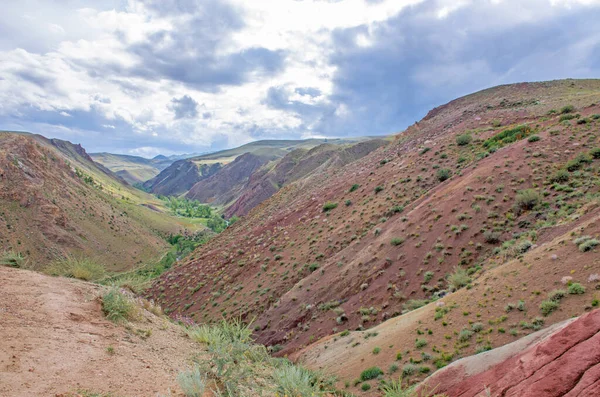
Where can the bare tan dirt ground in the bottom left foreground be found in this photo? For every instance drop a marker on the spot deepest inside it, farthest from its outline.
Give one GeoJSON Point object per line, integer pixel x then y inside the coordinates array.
{"type": "Point", "coordinates": [54, 340]}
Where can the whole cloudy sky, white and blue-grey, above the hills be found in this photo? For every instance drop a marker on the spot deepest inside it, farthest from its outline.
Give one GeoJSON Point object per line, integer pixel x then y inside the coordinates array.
{"type": "Point", "coordinates": [179, 76]}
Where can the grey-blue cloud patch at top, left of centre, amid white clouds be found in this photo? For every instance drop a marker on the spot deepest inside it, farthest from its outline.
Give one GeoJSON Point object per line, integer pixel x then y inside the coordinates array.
{"type": "Point", "coordinates": [189, 54]}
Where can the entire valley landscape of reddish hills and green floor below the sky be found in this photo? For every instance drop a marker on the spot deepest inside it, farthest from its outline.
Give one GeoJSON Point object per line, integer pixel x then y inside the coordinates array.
{"type": "Point", "coordinates": [473, 233]}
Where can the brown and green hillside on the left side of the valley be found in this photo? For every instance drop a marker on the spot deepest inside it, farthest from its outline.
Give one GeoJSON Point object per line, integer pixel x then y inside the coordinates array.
{"type": "Point", "coordinates": [55, 201]}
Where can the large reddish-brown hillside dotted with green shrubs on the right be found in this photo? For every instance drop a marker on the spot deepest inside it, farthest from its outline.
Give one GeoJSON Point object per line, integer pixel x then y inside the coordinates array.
{"type": "Point", "coordinates": [477, 225]}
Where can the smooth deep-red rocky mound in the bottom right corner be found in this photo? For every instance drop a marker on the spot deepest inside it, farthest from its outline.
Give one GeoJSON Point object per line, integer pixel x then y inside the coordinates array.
{"type": "Point", "coordinates": [565, 363]}
